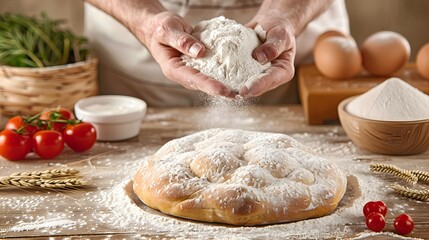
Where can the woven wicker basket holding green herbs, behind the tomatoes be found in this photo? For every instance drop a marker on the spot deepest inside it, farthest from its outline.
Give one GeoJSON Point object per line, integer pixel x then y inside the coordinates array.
{"type": "Point", "coordinates": [28, 91]}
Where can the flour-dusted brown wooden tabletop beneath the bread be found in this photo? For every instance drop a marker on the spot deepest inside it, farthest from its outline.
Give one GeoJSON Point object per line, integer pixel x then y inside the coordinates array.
{"type": "Point", "coordinates": [39, 214]}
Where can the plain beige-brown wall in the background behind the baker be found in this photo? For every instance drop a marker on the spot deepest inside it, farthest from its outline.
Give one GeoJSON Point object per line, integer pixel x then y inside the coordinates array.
{"type": "Point", "coordinates": [408, 17]}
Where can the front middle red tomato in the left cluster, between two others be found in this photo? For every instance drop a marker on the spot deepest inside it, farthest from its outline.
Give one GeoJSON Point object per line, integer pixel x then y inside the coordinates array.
{"type": "Point", "coordinates": [48, 143]}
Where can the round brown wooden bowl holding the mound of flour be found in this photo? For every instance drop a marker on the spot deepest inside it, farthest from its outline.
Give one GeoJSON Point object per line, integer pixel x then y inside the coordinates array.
{"type": "Point", "coordinates": [385, 137]}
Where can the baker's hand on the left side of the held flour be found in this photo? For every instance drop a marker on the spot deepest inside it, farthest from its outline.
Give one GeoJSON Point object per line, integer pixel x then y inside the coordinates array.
{"type": "Point", "coordinates": [167, 36]}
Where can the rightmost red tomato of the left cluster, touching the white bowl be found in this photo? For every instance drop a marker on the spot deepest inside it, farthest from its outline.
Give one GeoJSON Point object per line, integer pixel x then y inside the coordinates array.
{"type": "Point", "coordinates": [80, 137]}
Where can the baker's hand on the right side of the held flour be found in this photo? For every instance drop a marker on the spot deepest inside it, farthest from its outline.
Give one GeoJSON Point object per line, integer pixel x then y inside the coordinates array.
{"type": "Point", "coordinates": [279, 48]}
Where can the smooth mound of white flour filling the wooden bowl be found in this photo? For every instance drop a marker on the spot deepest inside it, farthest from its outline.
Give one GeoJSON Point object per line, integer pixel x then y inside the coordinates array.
{"type": "Point", "coordinates": [392, 100]}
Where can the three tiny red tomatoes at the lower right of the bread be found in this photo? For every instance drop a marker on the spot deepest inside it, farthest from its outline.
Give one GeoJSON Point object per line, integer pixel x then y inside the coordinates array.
{"type": "Point", "coordinates": [375, 213]}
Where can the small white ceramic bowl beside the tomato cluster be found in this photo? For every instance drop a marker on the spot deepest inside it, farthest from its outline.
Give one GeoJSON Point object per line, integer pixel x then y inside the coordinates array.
{"type": "Point", "coordinates": [114, 117]}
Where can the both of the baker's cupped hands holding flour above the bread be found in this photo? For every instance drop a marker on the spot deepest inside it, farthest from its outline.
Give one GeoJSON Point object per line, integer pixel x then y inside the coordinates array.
{"type": "Point", "coordinates": [167, 36]}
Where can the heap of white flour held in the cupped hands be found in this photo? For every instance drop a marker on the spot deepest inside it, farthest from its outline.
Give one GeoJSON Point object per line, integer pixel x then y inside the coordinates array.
{"type": "Point", "coordinates": [228, 58]}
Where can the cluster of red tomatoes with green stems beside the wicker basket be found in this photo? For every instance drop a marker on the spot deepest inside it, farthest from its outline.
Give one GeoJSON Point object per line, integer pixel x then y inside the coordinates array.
{"type": "Point", "coordinates": [46, 134]}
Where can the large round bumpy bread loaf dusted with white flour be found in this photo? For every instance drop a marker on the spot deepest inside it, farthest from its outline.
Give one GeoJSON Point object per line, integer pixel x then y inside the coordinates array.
{"type": "Point", "coordinates": [239, 177]}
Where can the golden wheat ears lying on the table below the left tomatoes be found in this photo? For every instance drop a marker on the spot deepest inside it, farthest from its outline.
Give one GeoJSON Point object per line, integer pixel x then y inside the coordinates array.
{"type": "Point", "coordinates": [49, 179]}
